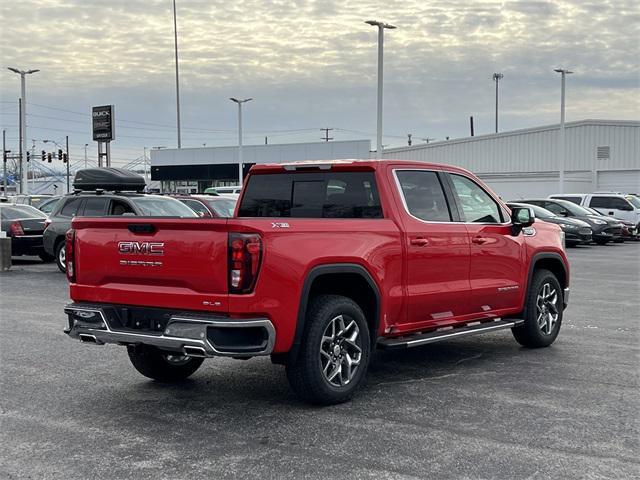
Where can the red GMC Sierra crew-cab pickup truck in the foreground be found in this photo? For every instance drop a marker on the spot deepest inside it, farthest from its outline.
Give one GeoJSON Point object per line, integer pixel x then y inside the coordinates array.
{"type": "Point", "coordinates": [322, 263]}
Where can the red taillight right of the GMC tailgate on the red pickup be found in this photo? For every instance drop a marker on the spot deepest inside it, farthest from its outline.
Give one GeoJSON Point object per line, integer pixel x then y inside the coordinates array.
{"type": "Point", "coordinates": [245, 255]}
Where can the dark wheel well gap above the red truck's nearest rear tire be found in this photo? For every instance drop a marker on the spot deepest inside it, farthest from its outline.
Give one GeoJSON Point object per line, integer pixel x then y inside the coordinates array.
{"type": "Point", "coordinates": [354, 286]}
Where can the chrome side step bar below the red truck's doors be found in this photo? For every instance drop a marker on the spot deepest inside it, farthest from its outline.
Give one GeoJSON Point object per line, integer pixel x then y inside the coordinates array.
{"type": "Point", "coordinates": [418, 339]}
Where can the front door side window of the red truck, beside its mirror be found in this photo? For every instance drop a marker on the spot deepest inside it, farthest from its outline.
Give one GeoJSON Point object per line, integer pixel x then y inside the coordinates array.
{"type": "Point", "coordinates": [474, 204]}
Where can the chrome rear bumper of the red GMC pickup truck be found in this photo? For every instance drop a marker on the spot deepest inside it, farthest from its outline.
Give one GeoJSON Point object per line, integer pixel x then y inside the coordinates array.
{"type": "Point", "coordinates": [191, 335]}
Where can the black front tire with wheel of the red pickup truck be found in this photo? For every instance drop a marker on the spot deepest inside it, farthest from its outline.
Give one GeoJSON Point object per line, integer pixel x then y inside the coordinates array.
{"type": "Point", "coordinates": [531, 334]}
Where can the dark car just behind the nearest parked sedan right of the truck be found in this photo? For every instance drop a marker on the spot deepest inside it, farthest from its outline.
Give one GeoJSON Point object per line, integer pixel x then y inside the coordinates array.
{"type": "Point", "coordinates": [604, 229]}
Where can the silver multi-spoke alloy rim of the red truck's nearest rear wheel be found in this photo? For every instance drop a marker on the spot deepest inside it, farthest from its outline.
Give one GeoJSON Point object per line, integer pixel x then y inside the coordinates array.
{"type": "Point", "coordinates": [340, 351]}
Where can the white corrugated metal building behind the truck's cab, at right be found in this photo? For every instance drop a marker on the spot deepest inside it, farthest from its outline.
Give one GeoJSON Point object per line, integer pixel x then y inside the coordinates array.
{"type": "Point", "coordinates": [600, 155]}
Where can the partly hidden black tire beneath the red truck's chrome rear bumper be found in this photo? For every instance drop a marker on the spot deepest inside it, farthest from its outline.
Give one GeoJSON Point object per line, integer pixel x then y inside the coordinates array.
{"type": "Point", "coordinates": [157, 365]}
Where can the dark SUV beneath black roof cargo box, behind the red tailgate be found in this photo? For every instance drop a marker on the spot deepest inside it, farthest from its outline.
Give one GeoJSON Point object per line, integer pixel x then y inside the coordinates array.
{"type": "Point", "coordinates": [102, 204]}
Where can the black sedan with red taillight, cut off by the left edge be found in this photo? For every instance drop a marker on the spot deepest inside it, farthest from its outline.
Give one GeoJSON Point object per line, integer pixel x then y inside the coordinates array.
{"type": "Point", "coordinates": [24, 224]}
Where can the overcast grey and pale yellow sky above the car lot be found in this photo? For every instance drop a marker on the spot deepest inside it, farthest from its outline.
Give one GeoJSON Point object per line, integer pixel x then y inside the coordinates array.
{"type": "Point", "coordinates": [312, 64]}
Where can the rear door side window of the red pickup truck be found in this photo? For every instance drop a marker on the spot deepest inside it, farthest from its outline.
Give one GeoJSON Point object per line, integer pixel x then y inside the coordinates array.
{"type": "Point", "coordinates": [423, 195]}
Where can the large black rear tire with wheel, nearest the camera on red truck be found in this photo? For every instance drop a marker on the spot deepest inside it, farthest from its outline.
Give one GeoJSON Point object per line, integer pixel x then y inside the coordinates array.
{"type": "Point", "coordinates": [306, 373]}
